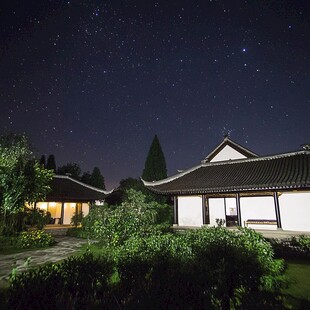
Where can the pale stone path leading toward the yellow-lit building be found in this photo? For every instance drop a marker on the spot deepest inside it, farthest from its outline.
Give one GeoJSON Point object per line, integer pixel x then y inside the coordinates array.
{"type": "Point", "coordinates": [66, 246]}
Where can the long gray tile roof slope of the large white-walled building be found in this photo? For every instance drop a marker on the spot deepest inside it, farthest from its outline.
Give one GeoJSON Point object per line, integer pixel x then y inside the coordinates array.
{"type": "Point", "coordinates": [278, 172]}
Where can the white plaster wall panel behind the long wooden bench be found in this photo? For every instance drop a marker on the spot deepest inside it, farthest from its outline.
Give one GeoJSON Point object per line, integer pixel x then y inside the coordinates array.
{"type": "Point", "coordinates": [258, 208]}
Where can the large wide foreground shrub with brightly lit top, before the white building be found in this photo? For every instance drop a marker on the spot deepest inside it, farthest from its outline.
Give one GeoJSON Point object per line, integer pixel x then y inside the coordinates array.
{"type": "Point", "coordinates": [208, 268]}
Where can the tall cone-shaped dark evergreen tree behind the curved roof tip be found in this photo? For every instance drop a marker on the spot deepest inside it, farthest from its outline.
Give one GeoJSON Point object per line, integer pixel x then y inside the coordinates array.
{"type": "Point", "coordinates": [155, 164]}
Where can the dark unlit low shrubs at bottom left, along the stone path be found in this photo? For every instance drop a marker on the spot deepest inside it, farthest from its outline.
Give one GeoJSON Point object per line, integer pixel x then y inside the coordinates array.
{"type": "Point", "coordinates": [76, 283]}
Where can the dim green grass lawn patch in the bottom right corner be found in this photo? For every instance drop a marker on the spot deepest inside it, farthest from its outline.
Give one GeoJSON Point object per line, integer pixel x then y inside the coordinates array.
{"type": "Point", "coordinates": [298, 292]}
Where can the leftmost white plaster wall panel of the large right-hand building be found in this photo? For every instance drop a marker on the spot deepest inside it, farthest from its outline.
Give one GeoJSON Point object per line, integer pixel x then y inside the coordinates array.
{"type": "Point", "coordinates": [190, 211]}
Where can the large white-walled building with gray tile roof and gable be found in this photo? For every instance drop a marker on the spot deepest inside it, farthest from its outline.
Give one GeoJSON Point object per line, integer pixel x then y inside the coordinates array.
{"type": "Point", "coordinates": [235, 186]}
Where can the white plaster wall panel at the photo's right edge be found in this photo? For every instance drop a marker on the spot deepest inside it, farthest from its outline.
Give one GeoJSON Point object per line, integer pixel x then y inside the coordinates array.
{"type": "Point", "coordinates": [295, 211]}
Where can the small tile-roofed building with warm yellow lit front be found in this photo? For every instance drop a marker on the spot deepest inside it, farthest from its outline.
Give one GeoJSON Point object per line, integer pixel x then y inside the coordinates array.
{"type": "Point", "coordinates": [69, 196]}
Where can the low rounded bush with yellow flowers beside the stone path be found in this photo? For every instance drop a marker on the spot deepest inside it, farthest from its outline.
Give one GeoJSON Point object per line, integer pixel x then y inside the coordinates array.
{"type": "Point", "coordinates": [34, 239]}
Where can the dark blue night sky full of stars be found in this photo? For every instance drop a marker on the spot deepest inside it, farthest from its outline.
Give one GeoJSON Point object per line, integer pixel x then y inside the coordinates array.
{"type": "Point", "coordinates": [92, 82]}
